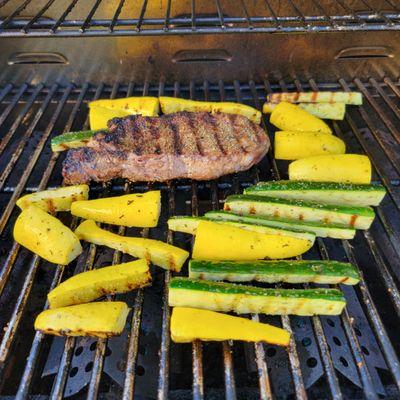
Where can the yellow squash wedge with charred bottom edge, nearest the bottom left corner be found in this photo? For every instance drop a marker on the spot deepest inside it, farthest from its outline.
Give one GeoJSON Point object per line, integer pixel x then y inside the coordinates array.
{"type": "Point", "coordinates": [101, 319]}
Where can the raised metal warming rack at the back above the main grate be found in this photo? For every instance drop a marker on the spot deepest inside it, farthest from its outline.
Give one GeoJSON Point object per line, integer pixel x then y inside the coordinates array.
{"type": "Point", "coordinates": [151, 17]}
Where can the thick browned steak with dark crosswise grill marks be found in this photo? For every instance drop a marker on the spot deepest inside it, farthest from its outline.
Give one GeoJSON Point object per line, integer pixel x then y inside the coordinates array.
{"type": "Point", "coordinates": [196, 145]}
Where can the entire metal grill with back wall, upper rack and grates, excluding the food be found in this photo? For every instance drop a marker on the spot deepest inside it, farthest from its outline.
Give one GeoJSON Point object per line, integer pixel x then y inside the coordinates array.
{"type": "Point", "coordinates": [205, 50]}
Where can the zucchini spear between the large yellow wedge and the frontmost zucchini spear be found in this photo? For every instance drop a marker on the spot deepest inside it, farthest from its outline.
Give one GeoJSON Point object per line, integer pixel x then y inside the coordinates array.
{"type": "Point", "coordinates": [304, 271]}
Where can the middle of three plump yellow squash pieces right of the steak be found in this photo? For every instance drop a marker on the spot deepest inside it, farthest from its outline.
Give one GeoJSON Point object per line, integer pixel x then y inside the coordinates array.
{"type": "Point", "coordinates": [292, 145]}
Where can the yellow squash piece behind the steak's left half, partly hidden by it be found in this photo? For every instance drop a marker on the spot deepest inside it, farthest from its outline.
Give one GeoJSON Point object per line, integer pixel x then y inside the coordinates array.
{"type": "Point", "coordinates": [101, 111]}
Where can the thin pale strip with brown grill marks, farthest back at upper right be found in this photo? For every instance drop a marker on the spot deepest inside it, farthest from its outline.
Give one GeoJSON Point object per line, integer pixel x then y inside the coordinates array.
{"type": "Point", "coordinates": [354, 98]}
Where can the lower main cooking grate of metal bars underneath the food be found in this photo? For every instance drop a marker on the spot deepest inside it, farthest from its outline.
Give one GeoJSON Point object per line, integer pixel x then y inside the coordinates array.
{"type": "Point", "coordinates": [353, 355]}
